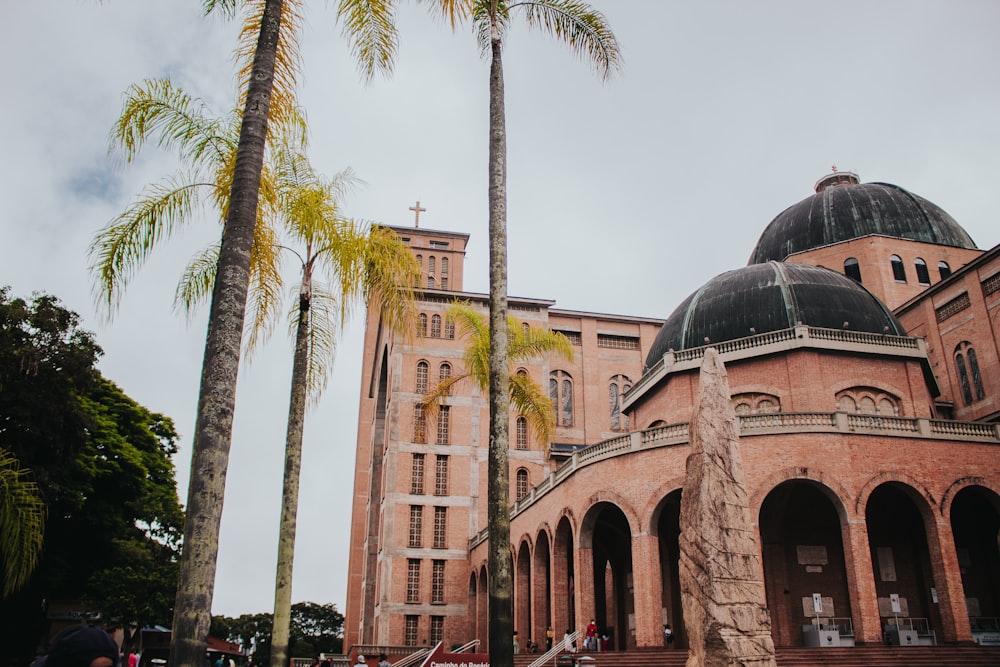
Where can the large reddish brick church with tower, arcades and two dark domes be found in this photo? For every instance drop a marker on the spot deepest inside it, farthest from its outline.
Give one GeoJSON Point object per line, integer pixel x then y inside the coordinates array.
{"type": "Point", "coordinates": [861, 343]}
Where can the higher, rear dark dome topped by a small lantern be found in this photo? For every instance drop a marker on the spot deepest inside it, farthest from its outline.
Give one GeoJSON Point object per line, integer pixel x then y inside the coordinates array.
{"type": "Point", "coordinates": [843, 209]}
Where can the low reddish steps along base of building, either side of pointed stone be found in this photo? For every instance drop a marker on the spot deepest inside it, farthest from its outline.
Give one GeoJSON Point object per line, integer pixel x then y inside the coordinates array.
{"type": "Point", "coordinates": [857, 656]}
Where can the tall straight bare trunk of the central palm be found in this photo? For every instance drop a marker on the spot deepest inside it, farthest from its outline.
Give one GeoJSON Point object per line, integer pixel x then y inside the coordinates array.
{"type": "Point", "coordinates": [501, 625]}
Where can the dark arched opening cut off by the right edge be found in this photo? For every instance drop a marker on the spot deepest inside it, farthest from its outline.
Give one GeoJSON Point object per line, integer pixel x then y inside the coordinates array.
{"type": "Point", "coordinates": [975, 524]}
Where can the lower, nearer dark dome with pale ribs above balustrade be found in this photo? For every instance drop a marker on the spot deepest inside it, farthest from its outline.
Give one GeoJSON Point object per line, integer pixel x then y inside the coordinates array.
{"type": "Point", "coordinates": [770, 297]}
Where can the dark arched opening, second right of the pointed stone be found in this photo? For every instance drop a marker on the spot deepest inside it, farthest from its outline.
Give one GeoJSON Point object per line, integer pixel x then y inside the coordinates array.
{"type": "Point", "coordinates": [901, 563]}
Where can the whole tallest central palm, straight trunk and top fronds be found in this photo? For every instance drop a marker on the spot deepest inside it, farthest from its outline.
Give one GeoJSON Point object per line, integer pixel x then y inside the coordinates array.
{"type": "Point", "coordinates": [587, 33]}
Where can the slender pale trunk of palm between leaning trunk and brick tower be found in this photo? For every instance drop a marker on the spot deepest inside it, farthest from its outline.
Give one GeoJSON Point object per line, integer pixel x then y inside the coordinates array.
{"type": "Point", "coordinates": [290, 491]}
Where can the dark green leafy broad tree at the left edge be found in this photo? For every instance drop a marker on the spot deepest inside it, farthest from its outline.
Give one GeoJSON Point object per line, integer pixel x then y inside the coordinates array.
{"type": "Point", "coordinates": [102, 465]}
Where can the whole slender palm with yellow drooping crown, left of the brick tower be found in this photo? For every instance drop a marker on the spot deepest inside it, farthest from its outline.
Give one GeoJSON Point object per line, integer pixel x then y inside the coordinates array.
{"type": "Point", "coordinates": [363, 264]}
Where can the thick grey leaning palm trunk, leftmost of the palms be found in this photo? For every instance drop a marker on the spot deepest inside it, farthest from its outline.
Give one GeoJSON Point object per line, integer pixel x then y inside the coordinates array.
{"type": "Point", "coordinates": [217, 397]}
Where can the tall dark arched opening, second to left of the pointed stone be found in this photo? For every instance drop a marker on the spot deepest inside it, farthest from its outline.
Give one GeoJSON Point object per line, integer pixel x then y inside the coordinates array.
{"type": "Point", "coordinates": [614, 602]}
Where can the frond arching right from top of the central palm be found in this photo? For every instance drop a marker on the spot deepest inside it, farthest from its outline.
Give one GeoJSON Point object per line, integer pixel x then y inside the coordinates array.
{"type": "Point", "coordinates": [584, 29]}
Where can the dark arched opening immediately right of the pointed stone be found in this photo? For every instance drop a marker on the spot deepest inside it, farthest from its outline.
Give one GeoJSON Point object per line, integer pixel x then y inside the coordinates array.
{"type": "Point", "coordinates": [803, 550]}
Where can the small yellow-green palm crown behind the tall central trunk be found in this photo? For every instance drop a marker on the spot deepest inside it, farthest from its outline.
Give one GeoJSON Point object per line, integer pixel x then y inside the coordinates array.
{"type": "Point", "coordinates": [524, 344]}
